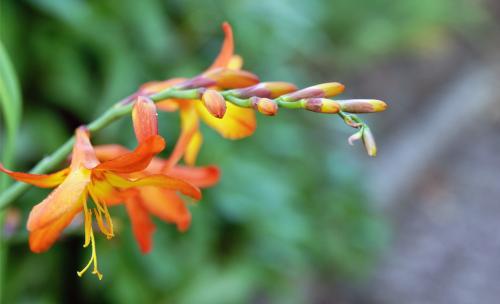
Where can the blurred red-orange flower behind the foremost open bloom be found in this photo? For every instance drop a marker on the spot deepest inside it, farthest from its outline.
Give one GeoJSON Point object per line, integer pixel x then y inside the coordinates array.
{"type": "Point", "coordinates": [164, 203]}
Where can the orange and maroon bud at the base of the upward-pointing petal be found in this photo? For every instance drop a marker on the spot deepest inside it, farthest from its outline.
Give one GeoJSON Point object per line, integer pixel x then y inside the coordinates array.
{"type": "Point", "coordinates": [231, 79]}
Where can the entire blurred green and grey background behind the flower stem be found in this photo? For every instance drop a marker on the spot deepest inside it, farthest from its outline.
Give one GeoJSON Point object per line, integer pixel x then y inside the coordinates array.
{"type": "Point", "coordinates": [299, 216]}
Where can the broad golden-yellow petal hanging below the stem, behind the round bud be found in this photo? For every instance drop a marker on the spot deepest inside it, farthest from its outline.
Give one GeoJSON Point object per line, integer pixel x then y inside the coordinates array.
{"type": "Point", "coordinates": [237, 122]}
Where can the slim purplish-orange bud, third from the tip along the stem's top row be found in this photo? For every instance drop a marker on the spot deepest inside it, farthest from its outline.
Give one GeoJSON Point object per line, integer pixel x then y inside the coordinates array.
{"type": "Point", "coordinates": [265, 90]}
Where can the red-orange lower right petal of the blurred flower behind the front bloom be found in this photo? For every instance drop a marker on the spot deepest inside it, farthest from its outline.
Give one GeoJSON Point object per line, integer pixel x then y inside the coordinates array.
{"type": "Point", "coordinates": [166, 205]}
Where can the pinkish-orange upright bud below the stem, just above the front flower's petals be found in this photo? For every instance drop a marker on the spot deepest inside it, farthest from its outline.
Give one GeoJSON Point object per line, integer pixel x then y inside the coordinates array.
{"type": "Point", "coordinates": [144, 118]}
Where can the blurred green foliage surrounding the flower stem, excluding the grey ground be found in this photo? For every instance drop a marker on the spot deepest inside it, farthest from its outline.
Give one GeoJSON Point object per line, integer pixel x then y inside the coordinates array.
{"type": "Point", "coordinates": [290, 210]}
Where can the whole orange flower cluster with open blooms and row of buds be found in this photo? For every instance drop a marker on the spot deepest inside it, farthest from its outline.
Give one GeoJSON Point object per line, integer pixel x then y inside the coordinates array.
{"type": "Point", "coordinates": [225, 97]}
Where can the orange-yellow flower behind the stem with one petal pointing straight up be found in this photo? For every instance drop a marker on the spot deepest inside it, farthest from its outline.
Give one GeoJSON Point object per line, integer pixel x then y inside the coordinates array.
{"type": "Point", "coordinates": [236, 123]}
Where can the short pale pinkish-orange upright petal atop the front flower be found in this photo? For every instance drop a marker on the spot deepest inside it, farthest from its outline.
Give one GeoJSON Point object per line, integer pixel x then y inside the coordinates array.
{"type": "Point", "coordinates": [83, 152]}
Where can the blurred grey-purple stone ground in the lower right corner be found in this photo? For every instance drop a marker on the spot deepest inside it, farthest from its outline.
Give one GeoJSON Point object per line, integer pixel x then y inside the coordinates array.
{"type": "Point", "coordinates": [447, 241]}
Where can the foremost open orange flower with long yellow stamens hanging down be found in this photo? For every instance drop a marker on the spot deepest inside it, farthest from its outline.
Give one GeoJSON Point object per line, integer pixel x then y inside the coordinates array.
{"type": "Point", "coordinates": [85, 176]}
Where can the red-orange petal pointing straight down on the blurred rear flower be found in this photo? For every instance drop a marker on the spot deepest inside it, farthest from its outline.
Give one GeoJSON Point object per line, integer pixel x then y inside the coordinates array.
{"type": "Point", "coordinates": [142, 226]}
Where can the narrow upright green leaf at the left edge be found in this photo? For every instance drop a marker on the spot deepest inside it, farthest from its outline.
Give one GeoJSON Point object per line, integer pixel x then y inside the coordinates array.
{"type": "Point", "coordinates": [10, 106]}
